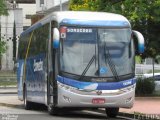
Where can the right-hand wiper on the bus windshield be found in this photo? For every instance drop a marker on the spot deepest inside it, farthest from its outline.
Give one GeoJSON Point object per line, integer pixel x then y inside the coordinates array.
{"type": "Point", "coordinates": [110, 62]}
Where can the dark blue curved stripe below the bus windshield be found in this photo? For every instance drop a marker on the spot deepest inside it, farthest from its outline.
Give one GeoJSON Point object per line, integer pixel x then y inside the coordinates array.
{"type": "Point", "coordinates": [96, 86]}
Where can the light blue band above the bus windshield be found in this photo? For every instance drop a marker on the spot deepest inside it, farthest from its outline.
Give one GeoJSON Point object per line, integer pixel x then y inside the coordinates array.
{"type": "Point", "coordinates": [103, 23]}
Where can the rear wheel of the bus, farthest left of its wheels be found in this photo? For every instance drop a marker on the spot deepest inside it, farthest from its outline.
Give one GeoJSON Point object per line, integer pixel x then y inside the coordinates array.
{"type": "Point", "coordinates": [27, 104]}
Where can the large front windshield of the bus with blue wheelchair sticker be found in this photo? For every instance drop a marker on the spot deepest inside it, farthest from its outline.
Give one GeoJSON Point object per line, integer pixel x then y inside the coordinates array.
{"type": "Point", "coordinates": [97, 52]}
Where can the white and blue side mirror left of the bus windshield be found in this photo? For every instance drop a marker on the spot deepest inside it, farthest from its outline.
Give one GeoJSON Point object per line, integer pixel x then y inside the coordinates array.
{"type": "Point", "coordinates": [56, 38]}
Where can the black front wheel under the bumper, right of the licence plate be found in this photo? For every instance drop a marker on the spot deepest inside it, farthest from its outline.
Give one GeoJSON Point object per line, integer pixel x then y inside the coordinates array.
{"type": "Point", "coordinates": [112, 112]}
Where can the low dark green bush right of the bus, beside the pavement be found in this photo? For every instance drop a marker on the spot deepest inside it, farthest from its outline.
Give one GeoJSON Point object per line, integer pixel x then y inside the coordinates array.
{"type": "Point", "coordinates": [145, 86]}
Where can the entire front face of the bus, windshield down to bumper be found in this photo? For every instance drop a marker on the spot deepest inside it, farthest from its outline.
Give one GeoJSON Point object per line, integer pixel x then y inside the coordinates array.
{"type": "Point", "coordinates": [96, 66]}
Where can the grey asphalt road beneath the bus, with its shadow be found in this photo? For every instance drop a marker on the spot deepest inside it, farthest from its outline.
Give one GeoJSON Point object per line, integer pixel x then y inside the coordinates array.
{"type": "Point", "coordinates": [12, 109]}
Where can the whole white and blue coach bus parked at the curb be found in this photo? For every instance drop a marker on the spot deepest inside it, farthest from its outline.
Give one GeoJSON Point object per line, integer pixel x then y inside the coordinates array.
{"type": "Point", "coordinates": [79, 60]}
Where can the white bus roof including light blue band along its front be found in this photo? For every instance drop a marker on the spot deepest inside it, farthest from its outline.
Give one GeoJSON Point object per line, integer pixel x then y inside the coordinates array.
{"type": "Point", "coordinates": [82, 17]}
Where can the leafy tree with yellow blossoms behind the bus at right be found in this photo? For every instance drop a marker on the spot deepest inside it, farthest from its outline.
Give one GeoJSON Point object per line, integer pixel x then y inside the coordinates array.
{"type": "Point", "coordinates": [144, 16]}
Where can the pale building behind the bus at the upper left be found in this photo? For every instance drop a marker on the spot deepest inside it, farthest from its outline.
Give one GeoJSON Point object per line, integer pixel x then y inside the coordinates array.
{"type": "Point", "coordinates": [19, 11]}
